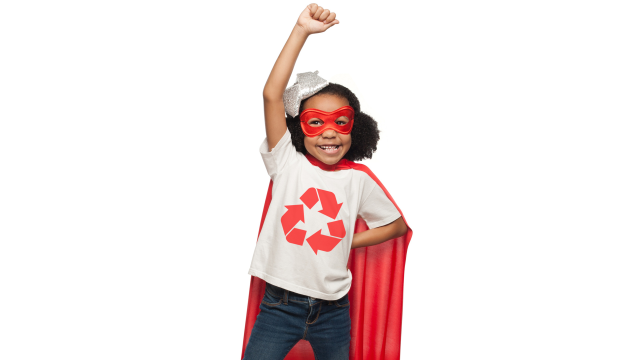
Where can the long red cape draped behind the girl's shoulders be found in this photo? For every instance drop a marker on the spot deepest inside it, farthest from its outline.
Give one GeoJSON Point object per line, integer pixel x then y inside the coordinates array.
{"type": "Point", "coordinates": [375, 295]}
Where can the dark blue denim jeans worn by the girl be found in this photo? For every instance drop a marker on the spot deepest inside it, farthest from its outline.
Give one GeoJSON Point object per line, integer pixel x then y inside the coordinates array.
{"type": "Point", "coordinates": [286, 317]}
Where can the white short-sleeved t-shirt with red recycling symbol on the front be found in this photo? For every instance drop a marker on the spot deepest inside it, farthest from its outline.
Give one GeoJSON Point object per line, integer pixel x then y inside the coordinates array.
{"type": "Point", "coordinates": [310, 256]}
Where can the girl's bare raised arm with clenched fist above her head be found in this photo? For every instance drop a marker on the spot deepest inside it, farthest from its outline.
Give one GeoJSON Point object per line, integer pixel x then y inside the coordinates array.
{"type": "Point", "coordinates": [314, 19]}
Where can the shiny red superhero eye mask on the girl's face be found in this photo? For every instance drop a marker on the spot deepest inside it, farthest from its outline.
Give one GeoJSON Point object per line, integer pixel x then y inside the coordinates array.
{"type": "Point", "coordinates": [329, 120]}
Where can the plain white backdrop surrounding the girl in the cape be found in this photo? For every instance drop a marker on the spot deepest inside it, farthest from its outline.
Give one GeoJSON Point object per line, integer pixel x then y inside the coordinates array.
{"type": "Point", "coordinates": [131, 186]}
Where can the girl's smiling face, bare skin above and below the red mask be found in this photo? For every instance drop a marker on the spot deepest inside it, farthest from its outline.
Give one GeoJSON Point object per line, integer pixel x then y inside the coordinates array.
{"type": "Point", "coordinates": [330, 137]}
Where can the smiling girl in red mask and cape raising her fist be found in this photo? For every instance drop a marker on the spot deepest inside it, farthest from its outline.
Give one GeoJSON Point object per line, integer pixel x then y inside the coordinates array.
{"type": "Point", "coordinates": [321, 207]}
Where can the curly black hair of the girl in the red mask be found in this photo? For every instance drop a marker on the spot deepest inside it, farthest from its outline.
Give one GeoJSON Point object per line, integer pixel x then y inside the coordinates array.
{"type": "Point", "coordinates": [364, 134]}
